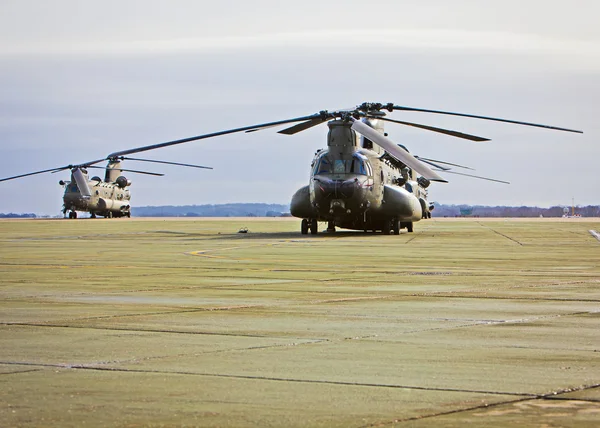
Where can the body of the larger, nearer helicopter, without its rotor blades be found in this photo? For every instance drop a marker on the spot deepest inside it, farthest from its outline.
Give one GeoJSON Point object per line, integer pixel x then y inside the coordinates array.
{"type": "Point", "coordinates": [354, 185]}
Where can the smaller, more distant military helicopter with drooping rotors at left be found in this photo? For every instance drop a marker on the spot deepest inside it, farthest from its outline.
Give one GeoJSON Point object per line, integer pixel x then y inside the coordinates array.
{"type": "Point", "coordinates": [109, 198]}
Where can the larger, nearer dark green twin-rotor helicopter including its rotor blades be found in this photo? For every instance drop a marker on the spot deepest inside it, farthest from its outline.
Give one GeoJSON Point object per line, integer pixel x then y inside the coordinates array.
{"type": "Point", "coordinates": [363, 180]}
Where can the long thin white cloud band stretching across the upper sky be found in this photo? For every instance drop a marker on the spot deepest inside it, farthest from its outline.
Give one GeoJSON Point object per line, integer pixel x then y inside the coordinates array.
{"type": "Point", "coordinates": [423, 39]}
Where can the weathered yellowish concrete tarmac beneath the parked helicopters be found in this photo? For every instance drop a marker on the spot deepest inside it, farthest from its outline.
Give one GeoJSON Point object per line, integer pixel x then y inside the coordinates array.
{"type": "Point", "coordinates": [167, 322]}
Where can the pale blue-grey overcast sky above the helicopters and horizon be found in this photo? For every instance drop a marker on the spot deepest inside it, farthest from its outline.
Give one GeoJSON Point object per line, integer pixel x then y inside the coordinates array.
{"type": "Point", "coordinates": [80, 80]}
